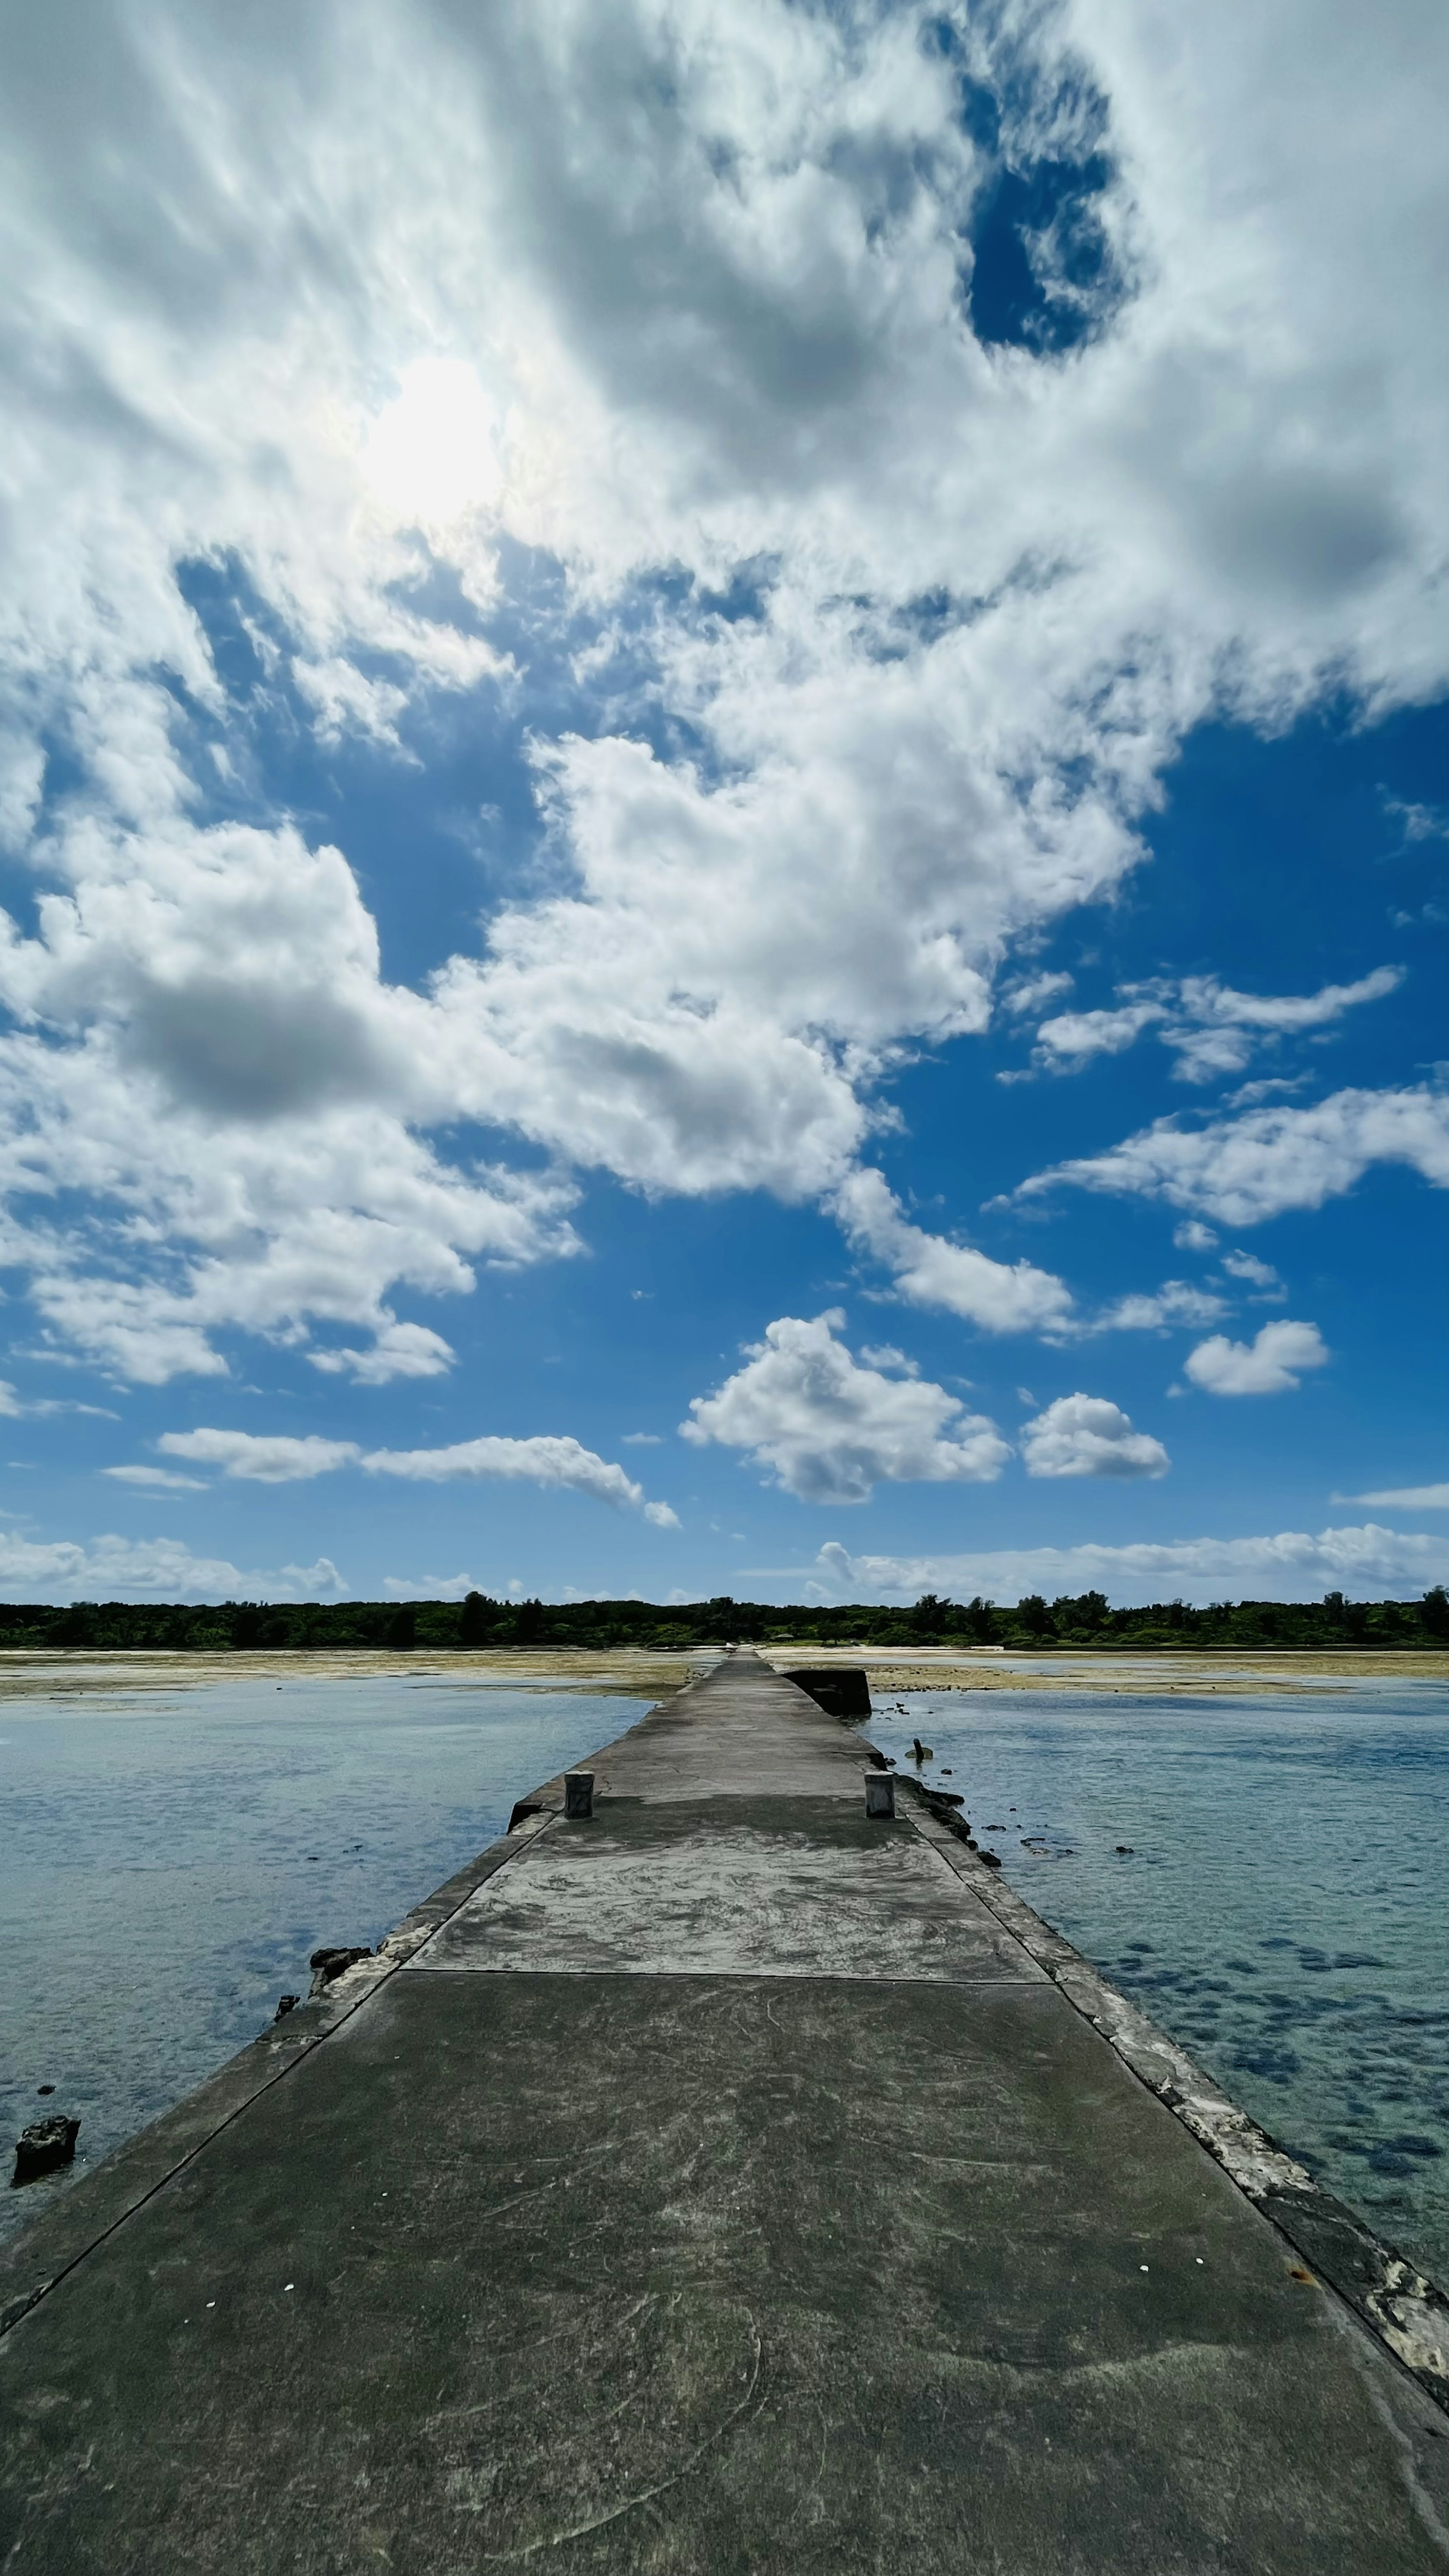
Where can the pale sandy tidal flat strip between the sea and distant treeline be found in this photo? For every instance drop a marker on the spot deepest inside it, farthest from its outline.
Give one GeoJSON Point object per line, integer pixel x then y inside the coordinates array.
{"type": "Point", "coordinates": [633, 1673]}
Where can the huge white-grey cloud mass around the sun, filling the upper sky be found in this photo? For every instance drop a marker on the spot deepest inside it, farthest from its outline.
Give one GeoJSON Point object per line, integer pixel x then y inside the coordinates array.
{"type": "Point", "coordinates": [643, 290]}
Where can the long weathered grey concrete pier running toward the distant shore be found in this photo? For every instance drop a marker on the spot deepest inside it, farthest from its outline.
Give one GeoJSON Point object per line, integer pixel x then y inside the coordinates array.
{"type": "Point", "coordinates": [708, 2183]}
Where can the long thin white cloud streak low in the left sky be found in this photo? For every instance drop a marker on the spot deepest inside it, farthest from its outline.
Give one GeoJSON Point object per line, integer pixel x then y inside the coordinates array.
{"type": "Point", "coordinates": [545, 1459]}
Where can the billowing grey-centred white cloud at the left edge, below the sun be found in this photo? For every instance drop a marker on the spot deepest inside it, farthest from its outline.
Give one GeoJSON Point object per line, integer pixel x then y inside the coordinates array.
{"type": "Point", "coordinates": [249, 1127]}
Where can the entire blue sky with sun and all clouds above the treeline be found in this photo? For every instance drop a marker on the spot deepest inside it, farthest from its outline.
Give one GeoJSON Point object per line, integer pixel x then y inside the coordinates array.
{"type": "Point", "coordinates": [726, 854]}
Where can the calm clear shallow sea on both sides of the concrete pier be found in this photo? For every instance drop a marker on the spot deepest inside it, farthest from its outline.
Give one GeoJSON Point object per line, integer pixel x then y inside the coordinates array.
{"type": "Point", "coordinates": [171, 1859]}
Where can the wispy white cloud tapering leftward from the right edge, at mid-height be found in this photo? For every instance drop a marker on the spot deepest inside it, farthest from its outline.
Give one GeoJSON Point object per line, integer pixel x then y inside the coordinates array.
{"type": "Point", "coordinates": [1249, 1168]}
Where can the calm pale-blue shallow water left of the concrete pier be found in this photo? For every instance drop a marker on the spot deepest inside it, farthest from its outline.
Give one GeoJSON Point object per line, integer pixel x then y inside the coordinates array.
{"type": "Point", "coordinates": [174, 1859]}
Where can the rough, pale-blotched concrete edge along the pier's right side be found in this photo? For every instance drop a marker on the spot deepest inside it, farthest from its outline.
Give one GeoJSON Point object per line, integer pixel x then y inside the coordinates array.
{"type": "Point", "coordinates": [1401, 2307]}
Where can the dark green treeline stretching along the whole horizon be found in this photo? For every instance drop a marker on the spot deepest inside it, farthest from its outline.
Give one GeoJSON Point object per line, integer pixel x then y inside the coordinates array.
{"type": "Point", "coordinates": [478, 1624]}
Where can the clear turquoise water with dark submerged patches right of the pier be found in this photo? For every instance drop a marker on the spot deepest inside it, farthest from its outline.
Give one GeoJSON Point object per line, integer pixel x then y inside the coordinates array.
{"type": "Point", "coordinates": [1283, 1910]}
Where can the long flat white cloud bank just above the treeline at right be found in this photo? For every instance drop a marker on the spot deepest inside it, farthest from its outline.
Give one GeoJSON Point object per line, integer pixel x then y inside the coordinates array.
{"type": "Point", "coordinates": [1368, 1562]}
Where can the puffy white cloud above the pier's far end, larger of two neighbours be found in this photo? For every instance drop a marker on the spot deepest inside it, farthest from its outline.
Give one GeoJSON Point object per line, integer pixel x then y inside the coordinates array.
{"type": "Point", "coordinates": [831, 1431]}
